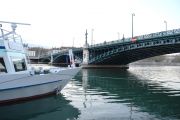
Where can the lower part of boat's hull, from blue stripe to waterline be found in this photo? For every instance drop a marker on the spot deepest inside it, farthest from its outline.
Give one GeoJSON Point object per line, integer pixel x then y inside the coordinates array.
{"type": "Point", "coordinates": [28, 93]}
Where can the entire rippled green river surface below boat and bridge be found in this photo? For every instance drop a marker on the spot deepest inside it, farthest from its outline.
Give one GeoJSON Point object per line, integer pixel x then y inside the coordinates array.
{"type": "Point", "coordinates": [139, 93]}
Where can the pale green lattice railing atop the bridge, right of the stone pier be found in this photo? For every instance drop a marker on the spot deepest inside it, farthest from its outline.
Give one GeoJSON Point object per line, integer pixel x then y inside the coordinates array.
{"type": "Point", "coordinates": [141, 37]}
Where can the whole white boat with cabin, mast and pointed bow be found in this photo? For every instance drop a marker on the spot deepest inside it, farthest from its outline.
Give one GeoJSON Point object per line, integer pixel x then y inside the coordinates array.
{"type": "Point", "coordinates": [17, 80]}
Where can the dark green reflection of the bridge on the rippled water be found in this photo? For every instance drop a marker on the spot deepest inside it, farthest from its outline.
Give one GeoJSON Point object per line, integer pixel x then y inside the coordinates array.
{"type": "Point", "coordinates": [128, 88]}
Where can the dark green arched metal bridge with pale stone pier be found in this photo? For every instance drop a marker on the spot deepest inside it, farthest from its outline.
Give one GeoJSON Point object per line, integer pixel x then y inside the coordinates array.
{"type": "Point", "coordinates": [124, 51]}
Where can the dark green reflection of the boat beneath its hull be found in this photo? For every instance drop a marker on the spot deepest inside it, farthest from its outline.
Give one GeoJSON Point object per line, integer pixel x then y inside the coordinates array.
{"type": "Point", "coordinates": [50, 108]}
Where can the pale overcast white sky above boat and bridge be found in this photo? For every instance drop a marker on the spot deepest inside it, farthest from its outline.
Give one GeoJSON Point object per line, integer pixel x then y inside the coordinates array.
{"type": "Point", "coordinates": [57, 23]}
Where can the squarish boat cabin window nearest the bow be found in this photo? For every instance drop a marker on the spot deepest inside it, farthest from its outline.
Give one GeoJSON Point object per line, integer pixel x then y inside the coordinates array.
{"type": "Point", "coordinates": [19, 64]}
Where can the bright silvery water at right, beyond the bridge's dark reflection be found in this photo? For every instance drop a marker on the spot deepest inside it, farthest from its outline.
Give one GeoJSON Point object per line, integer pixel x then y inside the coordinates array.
{"type": "Point", "coordinates": [167, 76]}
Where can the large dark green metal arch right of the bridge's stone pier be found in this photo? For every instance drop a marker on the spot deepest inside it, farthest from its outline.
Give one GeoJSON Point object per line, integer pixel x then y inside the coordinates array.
{"type": "Point", "coordinates": [123, 54]}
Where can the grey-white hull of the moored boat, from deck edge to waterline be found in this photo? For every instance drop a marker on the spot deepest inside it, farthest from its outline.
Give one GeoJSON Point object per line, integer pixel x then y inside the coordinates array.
{"type": "Point", "coordinates": [26, 87]}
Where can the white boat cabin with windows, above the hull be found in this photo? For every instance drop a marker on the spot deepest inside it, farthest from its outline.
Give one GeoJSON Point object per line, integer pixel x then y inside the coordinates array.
{"type": "Point", "coordinates": [12, 54]}
